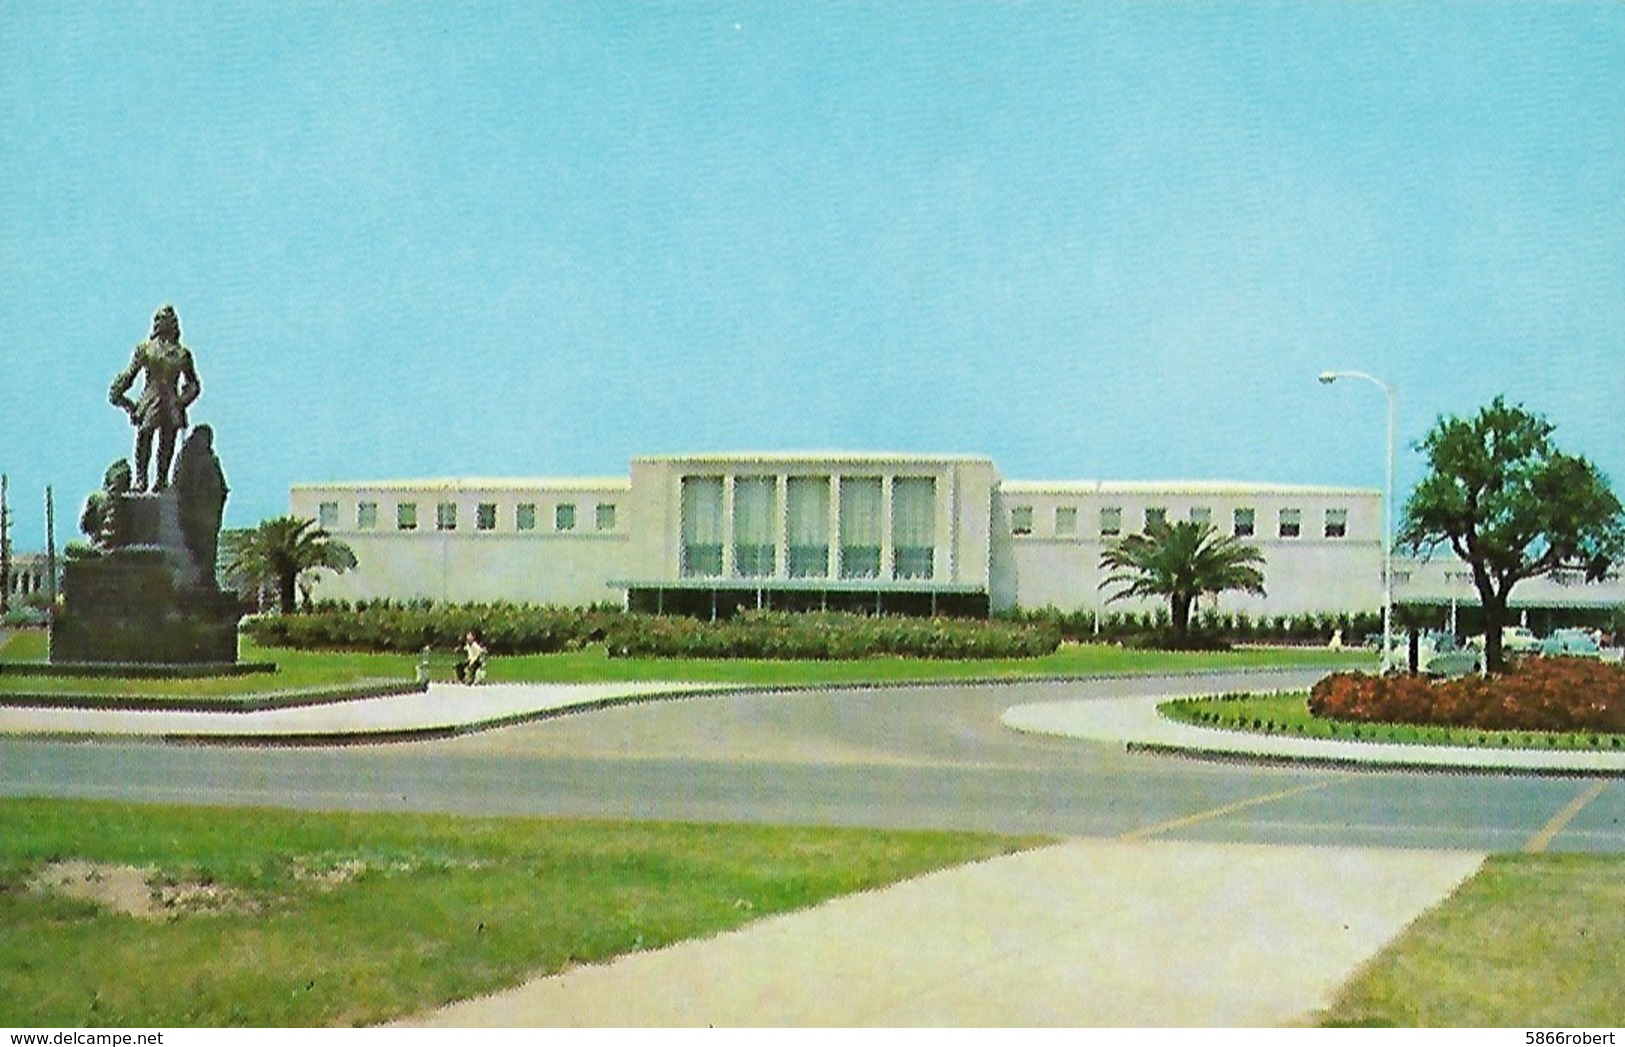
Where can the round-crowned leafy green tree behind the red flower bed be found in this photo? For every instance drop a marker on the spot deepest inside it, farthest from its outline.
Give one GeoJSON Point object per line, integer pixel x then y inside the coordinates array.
{"type": "Point", "coordinates": [1514, 506]}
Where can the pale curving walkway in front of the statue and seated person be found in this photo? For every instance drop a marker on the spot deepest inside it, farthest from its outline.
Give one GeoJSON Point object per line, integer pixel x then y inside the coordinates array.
{"type": "Point", "coordinates": [443, 710]}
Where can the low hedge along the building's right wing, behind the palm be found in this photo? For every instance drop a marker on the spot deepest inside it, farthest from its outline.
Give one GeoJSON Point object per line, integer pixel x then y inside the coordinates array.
{"type": "Point", "coordinates": [1215, 627]}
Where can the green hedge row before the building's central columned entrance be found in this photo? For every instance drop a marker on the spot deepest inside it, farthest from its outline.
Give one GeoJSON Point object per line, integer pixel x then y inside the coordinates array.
{"type": "Point", "coordinates": [778, 635]}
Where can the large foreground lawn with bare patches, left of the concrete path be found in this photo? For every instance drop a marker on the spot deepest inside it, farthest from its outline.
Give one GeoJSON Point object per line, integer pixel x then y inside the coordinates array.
{"type": "Point", "coordinates": [303, 919]}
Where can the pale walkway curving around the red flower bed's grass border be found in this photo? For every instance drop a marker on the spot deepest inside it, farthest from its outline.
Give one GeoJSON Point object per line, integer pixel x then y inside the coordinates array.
{"type": "Point", "coordinates": [1137, 723]}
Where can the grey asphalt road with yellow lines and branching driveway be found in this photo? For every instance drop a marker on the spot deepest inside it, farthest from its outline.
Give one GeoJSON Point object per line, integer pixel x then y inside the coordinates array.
{"type": "Point", "coordinates": [929, 757]}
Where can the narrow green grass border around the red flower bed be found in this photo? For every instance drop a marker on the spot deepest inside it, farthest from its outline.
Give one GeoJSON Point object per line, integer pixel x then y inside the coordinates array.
{"type": "Point", "coordinates": [1289, 715]}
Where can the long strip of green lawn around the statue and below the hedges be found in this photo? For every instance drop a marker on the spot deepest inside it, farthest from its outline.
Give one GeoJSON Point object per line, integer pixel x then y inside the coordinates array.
{"type": "Point", "coordinates": [306, 669]}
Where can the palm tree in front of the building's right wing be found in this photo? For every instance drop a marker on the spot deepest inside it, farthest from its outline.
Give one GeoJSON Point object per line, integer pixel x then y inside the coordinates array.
{"type": "Point", "coordinates": [1182, 562]}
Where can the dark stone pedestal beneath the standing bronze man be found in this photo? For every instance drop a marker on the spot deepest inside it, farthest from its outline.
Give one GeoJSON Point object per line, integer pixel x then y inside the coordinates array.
{"type": "Point", "coordinates": [145, 597]}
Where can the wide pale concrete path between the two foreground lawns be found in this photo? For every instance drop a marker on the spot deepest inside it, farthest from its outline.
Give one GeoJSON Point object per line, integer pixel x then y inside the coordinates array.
{"type": "Point", "coordinates": [1083, 934]}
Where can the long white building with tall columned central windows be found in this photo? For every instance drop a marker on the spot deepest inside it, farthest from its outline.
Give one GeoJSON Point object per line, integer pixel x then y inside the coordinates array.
{"type": "Point", "coordinates": [883, 532]}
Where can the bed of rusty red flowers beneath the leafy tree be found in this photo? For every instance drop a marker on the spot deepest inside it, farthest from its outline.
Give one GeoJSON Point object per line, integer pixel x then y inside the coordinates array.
{"type": "Point", "coordinates": [1564, 695]}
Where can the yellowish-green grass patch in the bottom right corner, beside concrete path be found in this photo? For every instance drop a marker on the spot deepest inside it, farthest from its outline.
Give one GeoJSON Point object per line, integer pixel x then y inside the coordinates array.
{"type": "Point", "coordinates": [1530, 942]}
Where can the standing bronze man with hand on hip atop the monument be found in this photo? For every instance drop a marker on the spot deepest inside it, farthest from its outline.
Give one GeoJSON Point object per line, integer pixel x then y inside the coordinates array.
{"type": "Point", "coordinates": [170, 388]}
